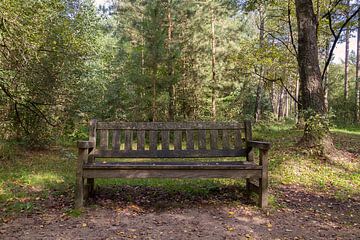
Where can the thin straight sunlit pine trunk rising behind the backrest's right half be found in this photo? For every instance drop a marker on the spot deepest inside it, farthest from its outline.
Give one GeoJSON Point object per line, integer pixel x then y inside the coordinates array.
{"type": "Point", "coordinates": [213, 71]}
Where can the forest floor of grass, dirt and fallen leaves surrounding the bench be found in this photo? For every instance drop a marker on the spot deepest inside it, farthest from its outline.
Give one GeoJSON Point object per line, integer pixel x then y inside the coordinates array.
{"type": "Point", "coordinates": [310, 199]}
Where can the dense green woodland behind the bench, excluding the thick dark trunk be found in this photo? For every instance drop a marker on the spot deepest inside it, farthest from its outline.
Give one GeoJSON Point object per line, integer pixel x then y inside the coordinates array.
{"type": "Point", "coordinates": [64, 62]}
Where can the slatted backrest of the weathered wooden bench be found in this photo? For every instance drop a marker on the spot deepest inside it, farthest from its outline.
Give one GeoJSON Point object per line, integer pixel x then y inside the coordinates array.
{"type": "Point", "coordinates": [169, 139]}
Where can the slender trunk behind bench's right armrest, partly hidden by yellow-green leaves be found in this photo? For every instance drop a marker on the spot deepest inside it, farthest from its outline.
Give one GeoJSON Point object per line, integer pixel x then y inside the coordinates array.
{"type": "Point", "coordinates": [259, 90]}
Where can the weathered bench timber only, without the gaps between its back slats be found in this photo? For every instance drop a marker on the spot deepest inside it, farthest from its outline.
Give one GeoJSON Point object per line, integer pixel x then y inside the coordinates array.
{"type": "Point", "coordinates": [87, 169]}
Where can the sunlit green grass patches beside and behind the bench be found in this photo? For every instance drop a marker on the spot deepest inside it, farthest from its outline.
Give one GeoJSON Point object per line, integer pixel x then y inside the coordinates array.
{"type": "Point", "coordinates": [33, 177]}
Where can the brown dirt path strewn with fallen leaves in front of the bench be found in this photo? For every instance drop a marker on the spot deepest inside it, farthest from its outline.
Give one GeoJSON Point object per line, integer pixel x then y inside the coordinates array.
{"type": "Point", "coordinates": [151, 214]}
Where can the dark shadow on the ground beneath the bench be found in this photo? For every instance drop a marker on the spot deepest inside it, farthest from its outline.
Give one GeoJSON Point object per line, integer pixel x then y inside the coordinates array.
{"type": "Point", "coordinates": [160, 199]}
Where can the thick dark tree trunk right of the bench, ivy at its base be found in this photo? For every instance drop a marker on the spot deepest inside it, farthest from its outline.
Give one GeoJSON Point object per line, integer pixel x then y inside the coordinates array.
{"type": "Point", "coordinates": [316, 131]}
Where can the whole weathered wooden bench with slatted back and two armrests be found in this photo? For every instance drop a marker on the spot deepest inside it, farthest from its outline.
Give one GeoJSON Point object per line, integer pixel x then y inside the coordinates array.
{"type": "Point", "coordinates": [171, 140]}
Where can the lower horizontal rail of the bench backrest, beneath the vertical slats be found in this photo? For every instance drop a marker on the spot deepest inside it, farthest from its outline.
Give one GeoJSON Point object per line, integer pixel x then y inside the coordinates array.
{"type": "Point", "coordinates": [98, 153]}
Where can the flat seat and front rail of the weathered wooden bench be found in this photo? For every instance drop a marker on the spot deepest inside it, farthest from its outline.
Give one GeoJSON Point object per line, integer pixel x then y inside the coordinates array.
{"type": "Point", "coordinates": [172, 170]}
